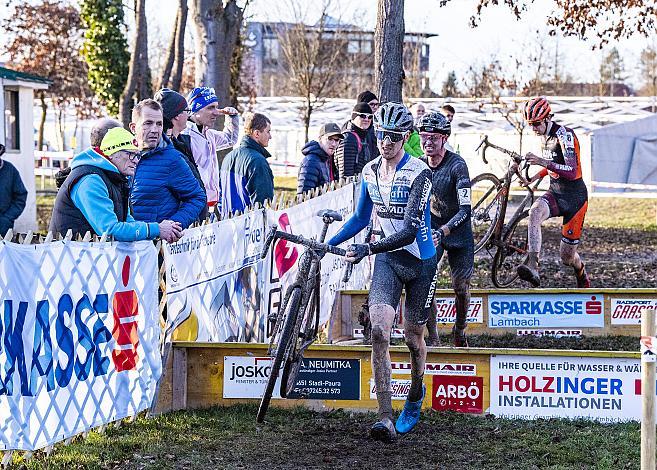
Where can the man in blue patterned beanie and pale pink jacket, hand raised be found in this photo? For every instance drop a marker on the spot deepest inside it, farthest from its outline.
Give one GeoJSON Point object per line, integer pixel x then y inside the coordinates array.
{"type": "Point", "coordinates": [206, 141]}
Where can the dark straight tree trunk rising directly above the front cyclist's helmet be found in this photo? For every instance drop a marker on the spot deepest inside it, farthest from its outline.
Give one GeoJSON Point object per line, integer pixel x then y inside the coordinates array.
{"type": "Point", "coordinates": [389, 49]}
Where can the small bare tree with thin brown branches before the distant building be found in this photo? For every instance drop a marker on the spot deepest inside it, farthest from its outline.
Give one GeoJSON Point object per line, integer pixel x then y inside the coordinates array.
{"type": "Point", "coordinates": [312, 62]}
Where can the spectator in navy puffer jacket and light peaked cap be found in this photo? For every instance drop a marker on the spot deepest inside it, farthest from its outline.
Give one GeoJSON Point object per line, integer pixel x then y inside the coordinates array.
{"type": "Point", "coordinates": [315, 169]}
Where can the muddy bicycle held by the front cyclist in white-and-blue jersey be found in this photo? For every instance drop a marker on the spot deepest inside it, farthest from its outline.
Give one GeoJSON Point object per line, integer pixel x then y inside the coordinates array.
{"type": "Point", "coordinates": [296, 324]}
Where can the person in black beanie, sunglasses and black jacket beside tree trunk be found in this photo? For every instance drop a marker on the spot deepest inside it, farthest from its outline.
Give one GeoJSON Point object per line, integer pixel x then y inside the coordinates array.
{"type": "Point", "coordinates": [353, 152]}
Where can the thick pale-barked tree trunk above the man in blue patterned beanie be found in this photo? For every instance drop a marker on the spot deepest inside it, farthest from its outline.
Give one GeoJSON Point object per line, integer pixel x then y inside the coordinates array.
{"type": "Point", "coordinates": [216, 27]}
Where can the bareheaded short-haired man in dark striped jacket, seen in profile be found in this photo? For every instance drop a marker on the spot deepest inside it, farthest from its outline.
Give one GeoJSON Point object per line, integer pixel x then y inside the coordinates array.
{"type": "Point", "coordinates": [246, 177]}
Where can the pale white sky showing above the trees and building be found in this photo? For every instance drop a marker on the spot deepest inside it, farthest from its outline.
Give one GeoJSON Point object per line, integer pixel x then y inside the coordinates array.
{"type": "Point", "coordinates": [456, 47]}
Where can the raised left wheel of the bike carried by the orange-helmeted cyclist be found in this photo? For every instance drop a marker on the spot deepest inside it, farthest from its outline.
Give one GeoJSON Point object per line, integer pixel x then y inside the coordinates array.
{"type": "Point", "coordinates": [485, 207]}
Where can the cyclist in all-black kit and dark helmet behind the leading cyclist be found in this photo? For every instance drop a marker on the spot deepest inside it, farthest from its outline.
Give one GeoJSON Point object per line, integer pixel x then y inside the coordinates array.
{"type": "Point", "coordinates": [450, 217]}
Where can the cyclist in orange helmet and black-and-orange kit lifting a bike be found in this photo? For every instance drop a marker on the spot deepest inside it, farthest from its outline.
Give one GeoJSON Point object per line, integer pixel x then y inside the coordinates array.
{"type": "Point", "coordinates": [567, 196]}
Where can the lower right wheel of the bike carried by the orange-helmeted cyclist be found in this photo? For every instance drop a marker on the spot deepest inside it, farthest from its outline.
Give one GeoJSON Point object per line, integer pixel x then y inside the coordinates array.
{"type": "Point", "coordinates": [511, 252]}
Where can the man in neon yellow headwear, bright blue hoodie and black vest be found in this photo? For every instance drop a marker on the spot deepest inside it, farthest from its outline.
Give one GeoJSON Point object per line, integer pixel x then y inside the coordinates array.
{"type": "Point", "coordinates": [94, 196]}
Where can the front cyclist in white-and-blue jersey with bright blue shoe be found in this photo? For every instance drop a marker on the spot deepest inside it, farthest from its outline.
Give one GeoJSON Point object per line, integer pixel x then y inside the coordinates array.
{"type": "Point", "coordinates": [398, 187]}
